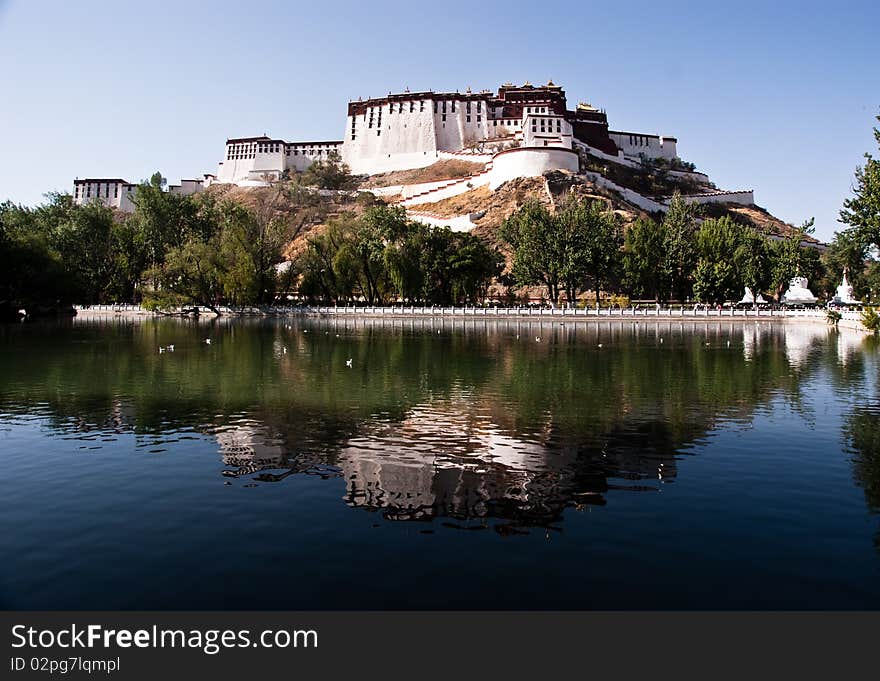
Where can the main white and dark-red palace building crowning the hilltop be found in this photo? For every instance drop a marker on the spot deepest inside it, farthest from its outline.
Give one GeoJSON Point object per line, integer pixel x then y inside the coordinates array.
{"type": "Point", "coordinates": [416, 129]}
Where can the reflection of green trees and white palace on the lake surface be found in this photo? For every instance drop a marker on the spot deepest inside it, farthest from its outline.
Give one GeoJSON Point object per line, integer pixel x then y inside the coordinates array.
{"type": "Point", "coordinates": [462, 420]}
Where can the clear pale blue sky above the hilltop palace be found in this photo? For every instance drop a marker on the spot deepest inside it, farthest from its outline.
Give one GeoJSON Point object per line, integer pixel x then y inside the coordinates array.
{"type": "Point", "coordinates": [778, 97]}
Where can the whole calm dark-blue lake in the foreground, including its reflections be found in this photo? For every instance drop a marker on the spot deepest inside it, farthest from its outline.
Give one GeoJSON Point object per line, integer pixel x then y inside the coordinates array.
{"type": "Point", "coordinates": [466, 466]}
